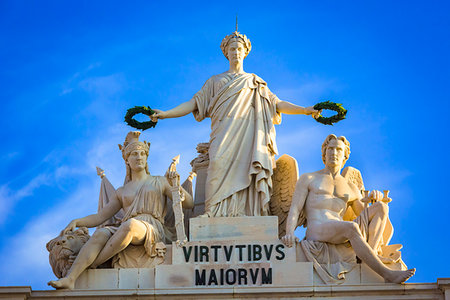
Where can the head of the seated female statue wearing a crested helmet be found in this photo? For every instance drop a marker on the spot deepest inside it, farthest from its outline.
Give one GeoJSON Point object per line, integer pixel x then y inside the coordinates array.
{"type": "Point", "coordinates": [134, 153]}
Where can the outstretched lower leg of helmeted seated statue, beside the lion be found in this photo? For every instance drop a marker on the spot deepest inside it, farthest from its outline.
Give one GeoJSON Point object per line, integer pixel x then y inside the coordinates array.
{"type": "Point", "coordinates": [84, 259]}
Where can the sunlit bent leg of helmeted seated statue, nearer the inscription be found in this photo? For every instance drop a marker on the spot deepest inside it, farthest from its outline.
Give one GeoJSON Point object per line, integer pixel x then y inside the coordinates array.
{"type": "Point", "coordinates": [130, 232]}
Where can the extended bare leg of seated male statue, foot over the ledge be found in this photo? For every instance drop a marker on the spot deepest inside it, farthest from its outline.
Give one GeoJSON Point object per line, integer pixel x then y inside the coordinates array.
{"type": "Point", "coordinates": [340, 231]}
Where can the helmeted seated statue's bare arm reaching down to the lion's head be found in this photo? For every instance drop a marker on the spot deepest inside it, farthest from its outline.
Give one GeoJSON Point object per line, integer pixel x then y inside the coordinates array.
{"type": "Point", "coordinates": [94, 220]}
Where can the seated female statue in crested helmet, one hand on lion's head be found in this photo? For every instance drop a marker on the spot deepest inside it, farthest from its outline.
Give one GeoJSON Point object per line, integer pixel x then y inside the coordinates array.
{"type": "Point", "coordinates": [142, 199]}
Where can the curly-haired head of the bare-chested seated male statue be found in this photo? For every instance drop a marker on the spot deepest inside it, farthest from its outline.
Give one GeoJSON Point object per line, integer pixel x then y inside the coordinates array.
{"type": "Point", "coordinates": [335, 150]}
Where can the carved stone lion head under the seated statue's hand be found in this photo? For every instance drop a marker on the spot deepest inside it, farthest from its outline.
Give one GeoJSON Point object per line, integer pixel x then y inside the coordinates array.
{"type": "Point", "coordinates": [63, 246]}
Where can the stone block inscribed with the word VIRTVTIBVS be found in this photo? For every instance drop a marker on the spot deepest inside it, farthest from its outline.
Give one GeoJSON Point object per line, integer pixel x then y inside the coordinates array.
{"type": "Point", "coordinates": [233, 252]}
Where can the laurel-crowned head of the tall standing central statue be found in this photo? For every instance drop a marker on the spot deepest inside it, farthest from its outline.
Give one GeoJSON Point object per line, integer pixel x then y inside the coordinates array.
{"type": "Point", "coordinates": [236, 46]}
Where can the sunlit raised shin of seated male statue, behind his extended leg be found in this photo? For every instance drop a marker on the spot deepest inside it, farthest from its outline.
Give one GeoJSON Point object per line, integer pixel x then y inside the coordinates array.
{"type": "Point", "coordinates": [378, 214]}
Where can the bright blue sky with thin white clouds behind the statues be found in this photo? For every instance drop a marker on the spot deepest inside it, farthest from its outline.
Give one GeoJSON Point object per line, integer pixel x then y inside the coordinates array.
{"type": "Point", "coordinates": [70, 70]}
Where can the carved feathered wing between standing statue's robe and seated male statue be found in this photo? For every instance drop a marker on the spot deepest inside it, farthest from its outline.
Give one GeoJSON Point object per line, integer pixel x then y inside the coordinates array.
{"type": "Point", "coordinates": [284, 178]}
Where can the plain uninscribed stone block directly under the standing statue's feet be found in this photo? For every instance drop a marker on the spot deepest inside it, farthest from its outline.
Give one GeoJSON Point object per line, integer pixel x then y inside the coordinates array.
{"type": "Point", "coordinates": [233, 229]}
